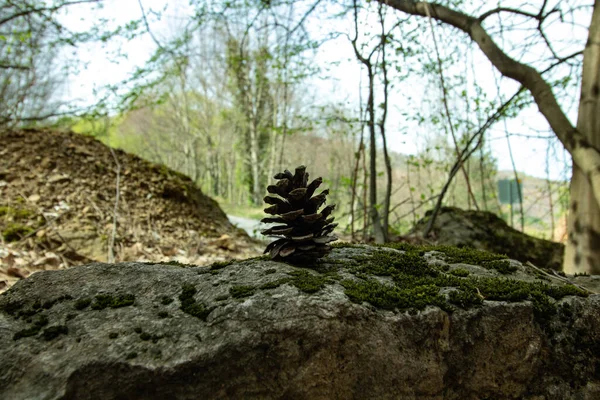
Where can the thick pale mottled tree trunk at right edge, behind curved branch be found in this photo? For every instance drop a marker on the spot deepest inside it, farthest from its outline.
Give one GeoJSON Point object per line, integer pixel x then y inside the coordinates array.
{"type": "Point", "coordinates": [582, 253]}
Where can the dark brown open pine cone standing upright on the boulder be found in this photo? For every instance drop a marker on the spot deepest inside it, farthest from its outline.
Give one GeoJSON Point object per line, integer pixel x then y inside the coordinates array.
{"type": "Point", "coordinates": [305, 230]}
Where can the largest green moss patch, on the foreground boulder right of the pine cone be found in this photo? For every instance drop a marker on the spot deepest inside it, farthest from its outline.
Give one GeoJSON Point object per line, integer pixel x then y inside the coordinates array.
{"type": "Point", "coordinates": [415, 284]}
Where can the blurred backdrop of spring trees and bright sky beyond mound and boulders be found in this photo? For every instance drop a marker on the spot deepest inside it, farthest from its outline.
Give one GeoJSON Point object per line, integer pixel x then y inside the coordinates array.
{"type": "Point", "coordinates": [392, 111]}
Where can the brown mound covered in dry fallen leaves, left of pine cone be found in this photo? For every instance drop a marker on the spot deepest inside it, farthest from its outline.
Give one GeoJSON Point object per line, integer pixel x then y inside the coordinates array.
{"type": "Point", "coordinates": [58, 192]}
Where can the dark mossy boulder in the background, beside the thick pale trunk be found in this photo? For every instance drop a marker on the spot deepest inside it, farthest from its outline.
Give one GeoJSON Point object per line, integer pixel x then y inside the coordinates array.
{"type": "Point", "coordinates": [484, 230]}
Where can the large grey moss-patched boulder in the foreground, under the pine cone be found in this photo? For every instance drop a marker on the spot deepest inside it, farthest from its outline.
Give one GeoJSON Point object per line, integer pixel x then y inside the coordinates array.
{"type": "Point", "coordinates": [365, 322]}
